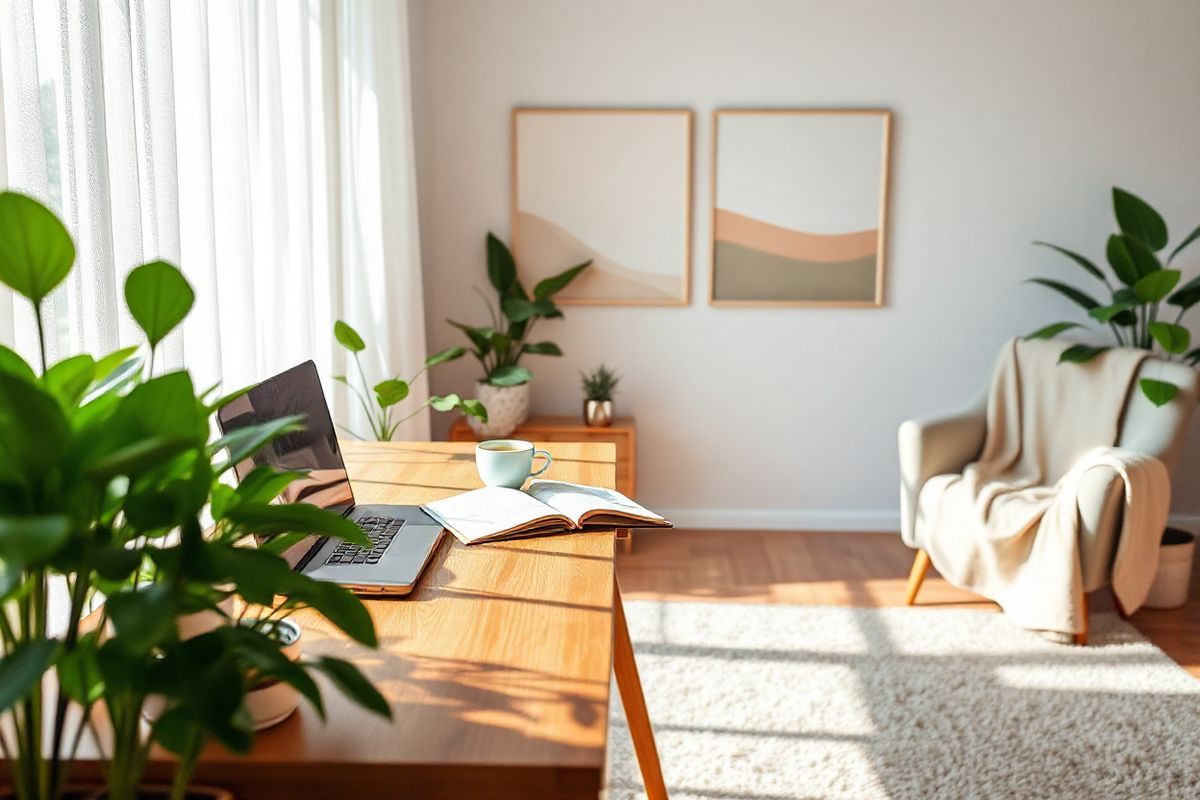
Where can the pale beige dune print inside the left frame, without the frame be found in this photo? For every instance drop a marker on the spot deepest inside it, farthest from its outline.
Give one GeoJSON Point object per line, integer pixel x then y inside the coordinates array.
{"type": "Point", "coordinates": [610, 187]}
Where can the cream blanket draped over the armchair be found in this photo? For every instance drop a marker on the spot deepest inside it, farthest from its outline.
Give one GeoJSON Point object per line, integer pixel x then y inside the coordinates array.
{"type": "Point", "coordinates": [1009, 527]}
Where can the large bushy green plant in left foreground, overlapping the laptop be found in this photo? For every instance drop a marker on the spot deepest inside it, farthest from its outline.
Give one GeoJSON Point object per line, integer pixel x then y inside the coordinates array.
{"type": "Point", "coordinates": [107, 474]}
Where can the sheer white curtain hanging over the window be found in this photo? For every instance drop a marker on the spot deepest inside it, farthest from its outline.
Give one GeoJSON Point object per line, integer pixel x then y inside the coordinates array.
{"type": "Point", "coordinates": [265, 147]}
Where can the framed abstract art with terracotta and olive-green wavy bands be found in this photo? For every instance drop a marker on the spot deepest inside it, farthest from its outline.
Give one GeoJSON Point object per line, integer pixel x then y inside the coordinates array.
{"type": "Point", "coordinates": [800, 207]}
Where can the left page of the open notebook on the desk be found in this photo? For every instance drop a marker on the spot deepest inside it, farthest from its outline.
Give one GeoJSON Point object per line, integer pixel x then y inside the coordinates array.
{"type": "Point", "coordinates": [491, 513]}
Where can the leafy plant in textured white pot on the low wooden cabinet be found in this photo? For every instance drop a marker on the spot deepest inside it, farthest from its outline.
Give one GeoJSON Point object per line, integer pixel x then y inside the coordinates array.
{"type": "Point", "coordinates": [500, 347]}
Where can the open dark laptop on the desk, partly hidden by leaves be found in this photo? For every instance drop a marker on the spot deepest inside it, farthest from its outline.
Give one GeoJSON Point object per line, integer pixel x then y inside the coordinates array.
{"type": "Point", "coordinates": [404, 538]}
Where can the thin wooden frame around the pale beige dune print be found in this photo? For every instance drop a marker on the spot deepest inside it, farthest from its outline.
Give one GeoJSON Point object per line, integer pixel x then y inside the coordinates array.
{"type": "Point", "coordinates": [685, 298]}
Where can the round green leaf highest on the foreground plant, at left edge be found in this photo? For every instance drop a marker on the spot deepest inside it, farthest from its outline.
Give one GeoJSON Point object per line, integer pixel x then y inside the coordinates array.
{"type": "Point", "coordinates": [37, 252]}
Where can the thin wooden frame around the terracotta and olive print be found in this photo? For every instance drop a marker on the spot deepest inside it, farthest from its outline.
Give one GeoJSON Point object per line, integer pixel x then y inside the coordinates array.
{"type": "Point", "coordinates": [881, 246]}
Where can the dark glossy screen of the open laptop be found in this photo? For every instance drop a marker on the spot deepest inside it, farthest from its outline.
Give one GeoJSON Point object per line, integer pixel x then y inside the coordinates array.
{"type": "Point", "coordinates": [314, 450]}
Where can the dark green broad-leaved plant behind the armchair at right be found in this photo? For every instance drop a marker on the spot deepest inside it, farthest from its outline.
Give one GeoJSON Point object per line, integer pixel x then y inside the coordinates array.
{"type": "Point", "coordinates": [1139, 287]}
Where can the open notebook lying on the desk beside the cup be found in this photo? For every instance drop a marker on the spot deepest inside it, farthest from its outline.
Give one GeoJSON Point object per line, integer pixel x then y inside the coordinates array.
{"type": "Point", "coordinates": [545, 508]}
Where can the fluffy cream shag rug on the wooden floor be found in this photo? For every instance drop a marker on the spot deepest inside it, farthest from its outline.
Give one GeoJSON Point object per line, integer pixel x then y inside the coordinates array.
{"type": "Point", "coordinates": [770, 702]}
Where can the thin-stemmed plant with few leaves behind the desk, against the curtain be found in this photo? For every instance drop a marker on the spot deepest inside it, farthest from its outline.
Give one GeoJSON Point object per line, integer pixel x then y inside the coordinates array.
{"type": "Point", "coordinates": [392, 392]}
